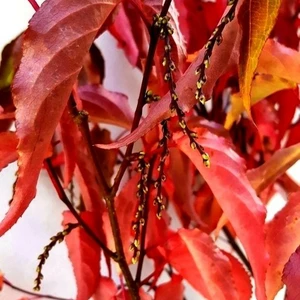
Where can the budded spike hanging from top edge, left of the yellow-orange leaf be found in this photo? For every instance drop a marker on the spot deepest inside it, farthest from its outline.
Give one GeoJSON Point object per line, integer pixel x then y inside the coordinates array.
{"type": "Point", "coordinates": [216, 38]}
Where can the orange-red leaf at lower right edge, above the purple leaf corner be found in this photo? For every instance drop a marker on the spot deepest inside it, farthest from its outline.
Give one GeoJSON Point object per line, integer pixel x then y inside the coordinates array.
{"type": "Point", "coordinates": [283, 237]}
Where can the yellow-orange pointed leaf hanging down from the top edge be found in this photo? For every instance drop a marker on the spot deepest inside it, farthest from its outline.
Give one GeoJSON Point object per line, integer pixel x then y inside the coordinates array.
{"type": "Point", "coordinates": [256, 19]}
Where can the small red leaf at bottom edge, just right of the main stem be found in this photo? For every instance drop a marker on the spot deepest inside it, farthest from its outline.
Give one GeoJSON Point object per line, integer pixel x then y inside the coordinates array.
{"type": "Point", "coordinates": [170, 290]}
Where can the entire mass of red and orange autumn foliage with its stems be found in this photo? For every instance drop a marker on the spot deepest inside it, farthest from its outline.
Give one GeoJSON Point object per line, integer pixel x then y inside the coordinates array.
{"type": "Point", "coordinates": [216, 125]}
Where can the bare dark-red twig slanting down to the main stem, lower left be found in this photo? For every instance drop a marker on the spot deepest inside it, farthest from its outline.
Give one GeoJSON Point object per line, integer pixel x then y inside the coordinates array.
{"type": "Point", "coordinates": [62, 195]}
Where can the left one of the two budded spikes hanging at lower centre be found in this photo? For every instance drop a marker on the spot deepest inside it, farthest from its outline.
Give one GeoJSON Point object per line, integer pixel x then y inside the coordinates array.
{"type": "Point", "coordinates": [142, 192]}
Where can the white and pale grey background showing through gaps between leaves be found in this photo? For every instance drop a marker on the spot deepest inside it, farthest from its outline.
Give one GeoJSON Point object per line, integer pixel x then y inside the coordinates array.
{"type": "Point", "coordinates": [20, 247]}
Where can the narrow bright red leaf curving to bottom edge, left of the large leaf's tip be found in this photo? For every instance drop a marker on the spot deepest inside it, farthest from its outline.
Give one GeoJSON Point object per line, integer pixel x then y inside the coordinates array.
{"type": "Point", "coordinates": [241, 278]}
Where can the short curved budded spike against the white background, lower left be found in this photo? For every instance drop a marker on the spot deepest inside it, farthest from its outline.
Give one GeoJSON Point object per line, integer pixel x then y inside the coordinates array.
{"type": "Point", "coordinates": [58, 238]}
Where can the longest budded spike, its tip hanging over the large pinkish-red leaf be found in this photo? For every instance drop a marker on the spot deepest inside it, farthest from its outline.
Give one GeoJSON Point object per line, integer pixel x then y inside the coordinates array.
{"type": "Point", "coordinates": [165, 32]}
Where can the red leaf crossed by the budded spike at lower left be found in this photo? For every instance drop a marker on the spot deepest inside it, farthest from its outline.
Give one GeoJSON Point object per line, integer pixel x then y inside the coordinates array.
{"type": "Point", "coordinates": [84, 254]}
